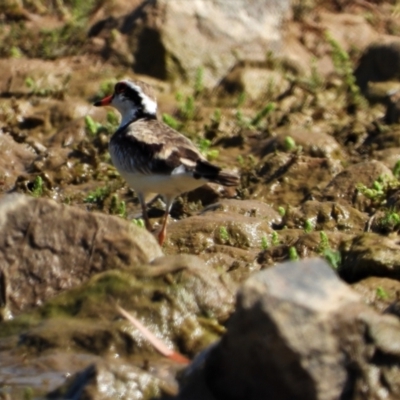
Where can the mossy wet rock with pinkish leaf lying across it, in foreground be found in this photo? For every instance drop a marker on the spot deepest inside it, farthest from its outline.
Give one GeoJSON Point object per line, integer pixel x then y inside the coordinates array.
{"type": "Point", "coordinates": [179, 298]}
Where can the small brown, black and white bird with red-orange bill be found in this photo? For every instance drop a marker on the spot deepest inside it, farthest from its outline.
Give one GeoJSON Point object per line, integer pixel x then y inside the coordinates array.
{"type": "Point", "coordinates": [152, 157]}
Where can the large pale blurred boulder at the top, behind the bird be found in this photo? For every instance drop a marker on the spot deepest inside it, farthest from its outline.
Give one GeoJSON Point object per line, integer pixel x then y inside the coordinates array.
{"type": "Point", "coordinates": [184, 36]}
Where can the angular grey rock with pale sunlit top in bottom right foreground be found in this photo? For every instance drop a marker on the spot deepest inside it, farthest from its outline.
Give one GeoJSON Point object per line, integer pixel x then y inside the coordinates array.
{"type": "Point", "coordinates": [281, 338]}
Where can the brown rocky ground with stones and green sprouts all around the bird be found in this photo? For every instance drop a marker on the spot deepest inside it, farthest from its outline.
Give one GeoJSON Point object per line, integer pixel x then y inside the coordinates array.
{"type": "Point", "coordinates": [311, 124]}
